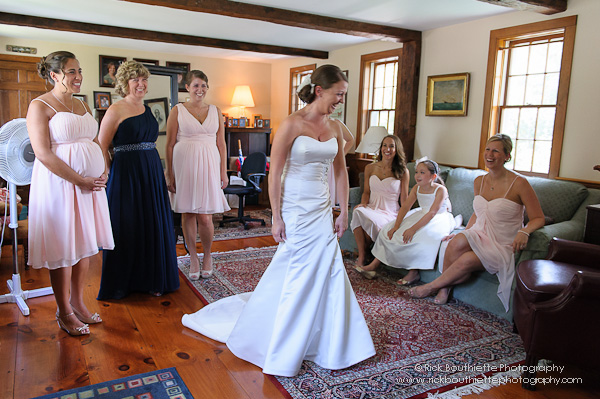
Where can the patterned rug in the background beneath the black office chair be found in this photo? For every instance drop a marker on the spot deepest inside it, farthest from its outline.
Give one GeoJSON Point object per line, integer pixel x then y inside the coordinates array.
{"type": "Point", "coordinates": [235, 230]}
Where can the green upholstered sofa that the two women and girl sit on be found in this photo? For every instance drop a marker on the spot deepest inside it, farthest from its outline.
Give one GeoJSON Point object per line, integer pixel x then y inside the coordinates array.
{"type": "Point", "coordinates": [563, 202]}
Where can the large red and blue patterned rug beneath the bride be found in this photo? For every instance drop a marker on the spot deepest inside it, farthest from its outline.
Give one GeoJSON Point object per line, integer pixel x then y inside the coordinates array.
{"type": "Point", "coordinates": [423, 349]}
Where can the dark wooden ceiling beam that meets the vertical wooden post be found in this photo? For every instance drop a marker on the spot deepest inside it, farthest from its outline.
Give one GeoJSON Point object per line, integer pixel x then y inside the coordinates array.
{"type": "Point", "coordinates": [290, 18]}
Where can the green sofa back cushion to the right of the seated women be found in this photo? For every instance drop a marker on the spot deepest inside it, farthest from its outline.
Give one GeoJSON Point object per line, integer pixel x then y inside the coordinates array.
{"type": "Point", "coordinates": [559, 199]}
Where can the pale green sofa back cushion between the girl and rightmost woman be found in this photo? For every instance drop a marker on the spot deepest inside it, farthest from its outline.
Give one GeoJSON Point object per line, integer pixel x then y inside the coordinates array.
{"type": "Point", "coordinates": [460, 190]}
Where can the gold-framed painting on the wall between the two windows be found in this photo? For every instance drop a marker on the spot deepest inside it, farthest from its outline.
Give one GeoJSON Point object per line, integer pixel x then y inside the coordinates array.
{"type": "Point", "coordinates": [447, 95]}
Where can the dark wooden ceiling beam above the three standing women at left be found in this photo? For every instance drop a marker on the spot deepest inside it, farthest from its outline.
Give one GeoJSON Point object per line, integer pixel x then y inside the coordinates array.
{"type": "Point", "coordinates": [140, 34]}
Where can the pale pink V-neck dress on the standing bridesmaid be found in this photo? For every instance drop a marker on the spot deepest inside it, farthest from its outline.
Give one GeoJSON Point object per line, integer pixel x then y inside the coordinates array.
{"type": "Point", "coordinates": [196, 165]}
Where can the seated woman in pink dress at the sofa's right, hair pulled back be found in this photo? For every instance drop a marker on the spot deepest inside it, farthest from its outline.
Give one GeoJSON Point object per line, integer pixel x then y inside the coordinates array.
{"type": "Point", "coordinates": [494, 232]}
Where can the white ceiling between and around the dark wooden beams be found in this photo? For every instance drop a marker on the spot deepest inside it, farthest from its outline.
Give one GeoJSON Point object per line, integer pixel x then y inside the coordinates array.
{"type": "Point", "coordinates": [409, 14]}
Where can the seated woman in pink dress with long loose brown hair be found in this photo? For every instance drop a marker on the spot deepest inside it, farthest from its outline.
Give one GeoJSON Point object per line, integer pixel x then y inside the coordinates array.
{"type": "Point", "coordinates": [385, 181]}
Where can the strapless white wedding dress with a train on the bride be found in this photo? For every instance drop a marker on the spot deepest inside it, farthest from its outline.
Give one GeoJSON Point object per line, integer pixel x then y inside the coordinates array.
{"type": "Point", "coordinates": [303, 308]}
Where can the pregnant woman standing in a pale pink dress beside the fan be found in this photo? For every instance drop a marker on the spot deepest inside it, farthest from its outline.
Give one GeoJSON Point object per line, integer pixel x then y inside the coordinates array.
{"type": "Point", "coordinates": [68, 209]}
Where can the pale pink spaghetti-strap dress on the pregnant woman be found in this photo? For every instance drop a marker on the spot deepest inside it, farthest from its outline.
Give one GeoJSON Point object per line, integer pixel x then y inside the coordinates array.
{"type": "Point", "coordinates": [67, 223]}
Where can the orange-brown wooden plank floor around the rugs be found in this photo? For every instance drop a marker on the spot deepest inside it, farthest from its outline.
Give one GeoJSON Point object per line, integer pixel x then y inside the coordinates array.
{"type": "Point", "coordinates": [142, 333]}
